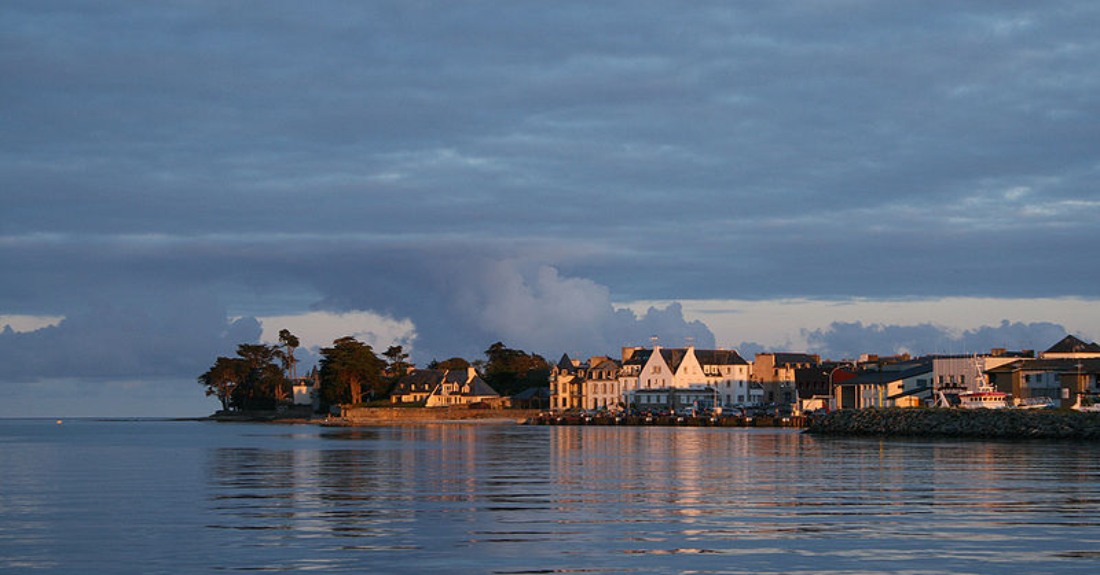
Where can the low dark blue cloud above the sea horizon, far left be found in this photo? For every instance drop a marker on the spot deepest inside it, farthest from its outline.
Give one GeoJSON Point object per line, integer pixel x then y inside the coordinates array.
{"type": "Point", "coordinates": [178, 335]}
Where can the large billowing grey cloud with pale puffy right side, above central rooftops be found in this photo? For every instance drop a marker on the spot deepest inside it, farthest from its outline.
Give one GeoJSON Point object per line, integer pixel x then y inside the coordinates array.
{"type": "Point", "coordinates": [461, 305]}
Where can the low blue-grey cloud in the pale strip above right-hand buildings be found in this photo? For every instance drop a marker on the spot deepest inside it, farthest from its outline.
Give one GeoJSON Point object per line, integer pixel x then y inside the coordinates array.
{"type": "Point", "coordinates": [848, 340]}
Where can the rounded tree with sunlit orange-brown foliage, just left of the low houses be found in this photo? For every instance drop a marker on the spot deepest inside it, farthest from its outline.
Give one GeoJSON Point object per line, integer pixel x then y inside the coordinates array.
{"type": "Point", "coordinates": [350, 370]}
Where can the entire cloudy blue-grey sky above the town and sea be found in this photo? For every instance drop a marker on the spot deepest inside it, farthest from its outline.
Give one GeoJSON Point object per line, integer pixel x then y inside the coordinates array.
{"type": "Point", "coordinates": [839, 178]}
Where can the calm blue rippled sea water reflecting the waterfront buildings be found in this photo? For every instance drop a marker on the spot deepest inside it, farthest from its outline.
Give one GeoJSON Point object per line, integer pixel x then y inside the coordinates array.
{"type": "Point", "coordinates": [171, 497]}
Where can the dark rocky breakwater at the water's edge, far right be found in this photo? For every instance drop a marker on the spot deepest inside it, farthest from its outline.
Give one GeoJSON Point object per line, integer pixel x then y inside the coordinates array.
{"type": "Point", "coordinates": [1005, 424]}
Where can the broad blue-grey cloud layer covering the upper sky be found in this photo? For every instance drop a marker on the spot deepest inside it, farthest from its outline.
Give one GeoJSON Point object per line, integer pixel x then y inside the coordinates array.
{"type": "Point", "coordinates": [713, 152]}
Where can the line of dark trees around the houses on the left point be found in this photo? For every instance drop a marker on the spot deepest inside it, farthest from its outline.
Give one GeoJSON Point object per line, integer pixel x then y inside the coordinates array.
{"type": "Point", "coordinates": [261, 377]}
